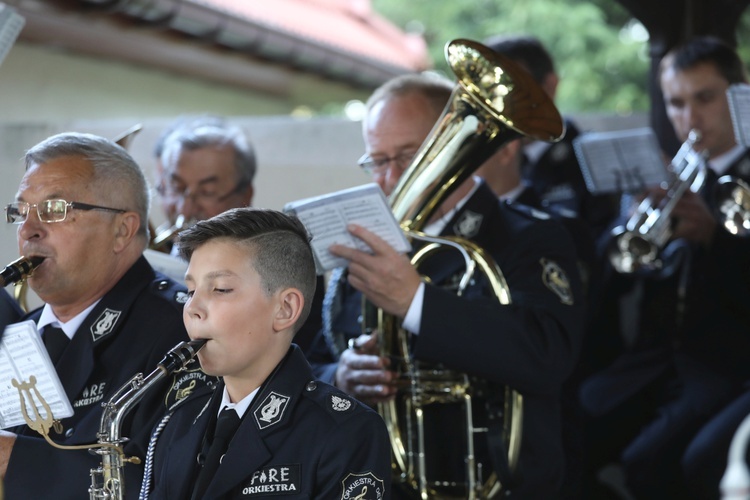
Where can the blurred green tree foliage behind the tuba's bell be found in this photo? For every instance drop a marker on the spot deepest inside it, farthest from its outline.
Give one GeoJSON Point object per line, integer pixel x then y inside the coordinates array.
{"type": "Point", "coordinates": [601, 54]}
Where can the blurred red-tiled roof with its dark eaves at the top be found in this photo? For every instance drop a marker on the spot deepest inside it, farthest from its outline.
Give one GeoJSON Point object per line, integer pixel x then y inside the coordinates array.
{"type": "Point", "coordinates": [342, 40]}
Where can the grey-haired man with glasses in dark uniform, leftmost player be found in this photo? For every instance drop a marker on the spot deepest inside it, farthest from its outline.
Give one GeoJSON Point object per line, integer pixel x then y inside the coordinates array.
{"type": "Point", "coordinates": [82, 206]}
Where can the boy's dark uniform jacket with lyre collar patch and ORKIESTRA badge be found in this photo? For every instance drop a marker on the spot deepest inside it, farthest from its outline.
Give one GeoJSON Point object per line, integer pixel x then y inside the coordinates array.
{"type": "Point", "coordinates": [320, 443]}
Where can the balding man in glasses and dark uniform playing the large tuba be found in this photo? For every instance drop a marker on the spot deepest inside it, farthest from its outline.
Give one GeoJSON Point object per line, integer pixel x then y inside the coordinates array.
{"type": "Point", "coordinates": [529, 345]}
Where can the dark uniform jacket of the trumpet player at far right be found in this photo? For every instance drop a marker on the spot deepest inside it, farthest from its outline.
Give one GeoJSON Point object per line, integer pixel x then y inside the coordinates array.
{"type": "Point", "coordinates": [709, 325]}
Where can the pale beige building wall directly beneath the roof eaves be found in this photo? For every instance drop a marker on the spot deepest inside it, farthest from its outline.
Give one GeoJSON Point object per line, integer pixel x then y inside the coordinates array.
{"type": "Point", "coordinates": [40, 83]}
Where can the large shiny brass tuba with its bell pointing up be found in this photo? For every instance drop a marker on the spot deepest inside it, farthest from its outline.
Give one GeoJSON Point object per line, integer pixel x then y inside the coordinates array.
{"type": "Point", "coordinates": [494, 102]}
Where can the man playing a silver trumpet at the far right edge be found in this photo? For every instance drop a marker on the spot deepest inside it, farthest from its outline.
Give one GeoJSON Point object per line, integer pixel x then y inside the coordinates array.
{"type": "Point", "coordinates": [689, 358]}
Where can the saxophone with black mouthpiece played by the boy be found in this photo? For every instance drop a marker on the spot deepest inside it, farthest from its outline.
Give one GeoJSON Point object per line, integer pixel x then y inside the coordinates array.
{"type": "Point", "coordinates": [107, 481]}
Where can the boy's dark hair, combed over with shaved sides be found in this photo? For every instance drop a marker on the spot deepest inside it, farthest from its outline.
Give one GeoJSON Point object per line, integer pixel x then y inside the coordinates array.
{"type": "Point", "coordinates": [278, 244]}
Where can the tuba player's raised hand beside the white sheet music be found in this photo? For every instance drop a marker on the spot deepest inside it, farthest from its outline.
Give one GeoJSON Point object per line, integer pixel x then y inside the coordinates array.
{"type": "Point", "coordinates": [385, 277]}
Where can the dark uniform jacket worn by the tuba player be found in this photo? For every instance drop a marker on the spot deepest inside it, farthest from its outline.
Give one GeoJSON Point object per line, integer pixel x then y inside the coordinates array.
{"type": "Point", "coordinates": [530, 345]}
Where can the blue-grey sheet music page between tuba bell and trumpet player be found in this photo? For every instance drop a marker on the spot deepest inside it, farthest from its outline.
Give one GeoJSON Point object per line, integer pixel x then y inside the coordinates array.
{"type": "Point", "coordinates": [620, 161]}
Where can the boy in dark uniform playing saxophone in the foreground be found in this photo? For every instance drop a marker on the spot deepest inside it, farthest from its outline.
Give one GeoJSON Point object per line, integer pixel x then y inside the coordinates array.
{"type": "Point", "coordinates": [251, 278]}
